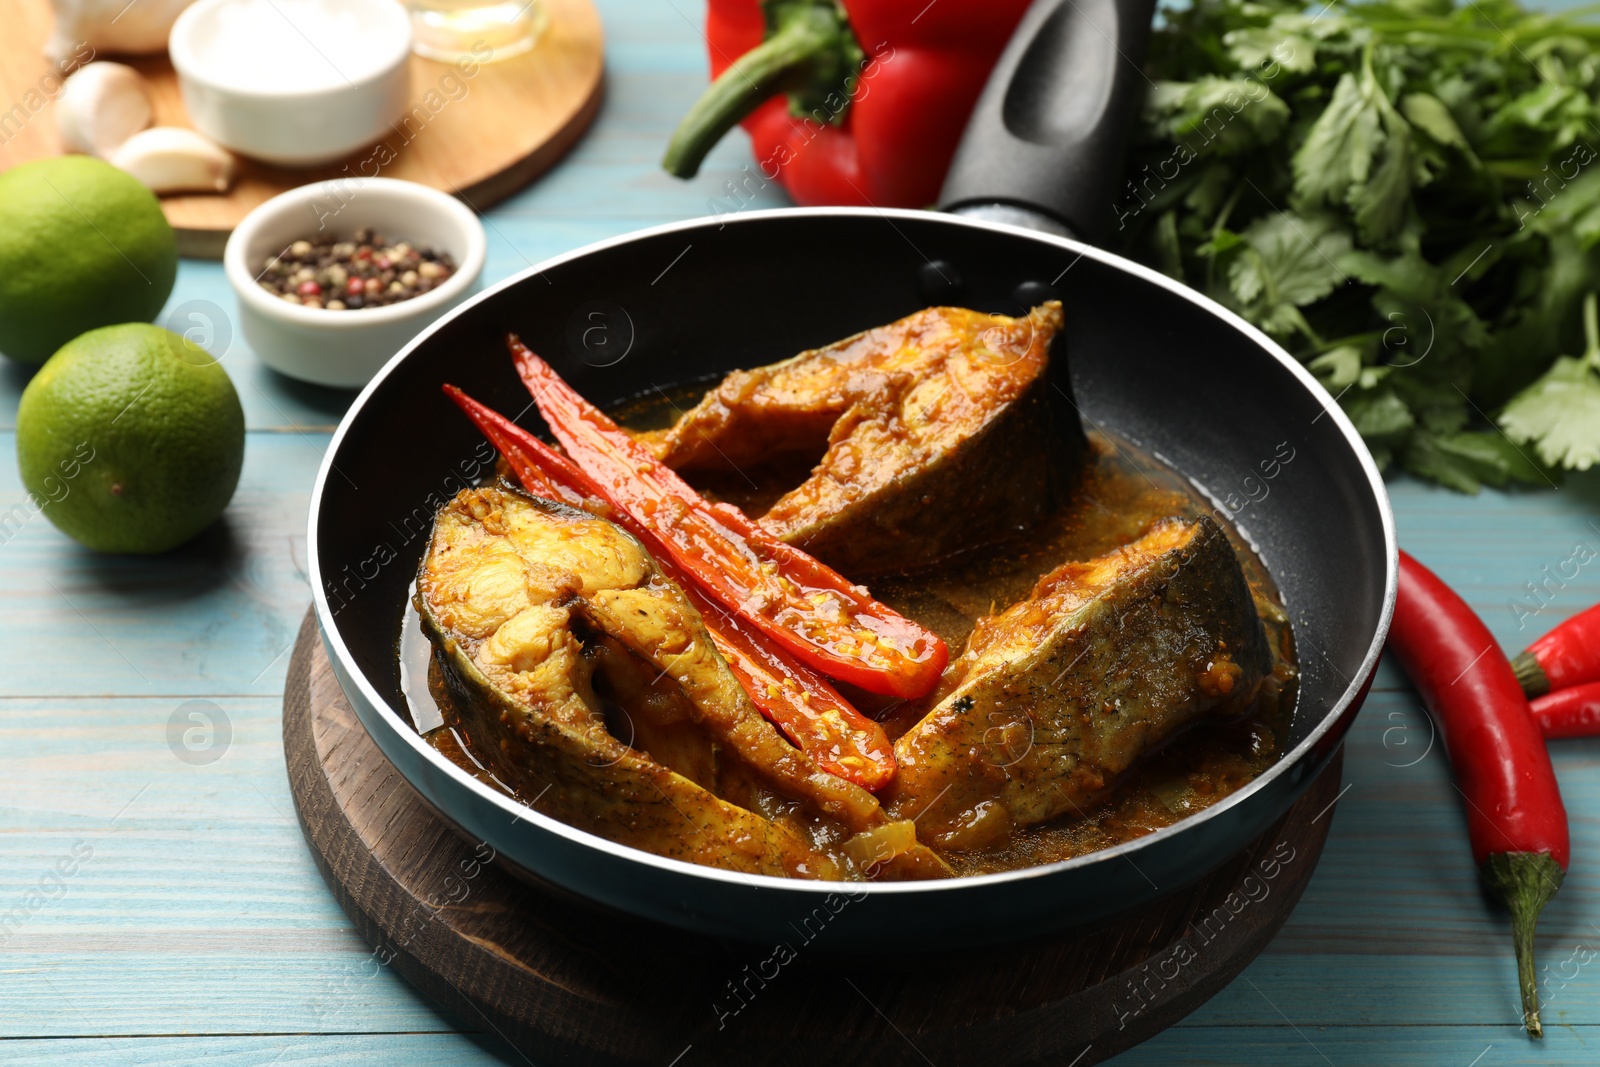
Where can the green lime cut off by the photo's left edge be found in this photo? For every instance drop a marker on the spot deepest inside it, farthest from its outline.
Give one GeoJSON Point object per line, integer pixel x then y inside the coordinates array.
{"type": "Point", "coordinates": [82, 246]}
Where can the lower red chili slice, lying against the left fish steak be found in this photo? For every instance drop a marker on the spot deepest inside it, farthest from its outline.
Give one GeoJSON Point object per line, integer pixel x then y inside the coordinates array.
{"type": "Point", "coordinates": [796, 700]}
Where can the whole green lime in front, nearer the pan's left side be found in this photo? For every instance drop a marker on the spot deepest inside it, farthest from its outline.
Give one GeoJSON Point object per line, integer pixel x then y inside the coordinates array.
{"type": "Point", "coordinates": [130, 439]}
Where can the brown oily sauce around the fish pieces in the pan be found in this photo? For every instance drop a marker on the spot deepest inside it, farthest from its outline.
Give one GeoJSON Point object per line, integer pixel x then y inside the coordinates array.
{"type": "Point", "coordinates": [1122, 494]}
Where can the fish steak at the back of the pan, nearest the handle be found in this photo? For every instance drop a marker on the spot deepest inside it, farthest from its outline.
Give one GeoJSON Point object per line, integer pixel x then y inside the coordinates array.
{"type": "Point", "coordinates": [943, 431]}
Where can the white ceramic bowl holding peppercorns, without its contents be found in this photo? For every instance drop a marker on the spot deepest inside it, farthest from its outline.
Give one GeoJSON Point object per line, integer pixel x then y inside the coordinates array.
{"type": "Point", "coordinates": [346, 348]}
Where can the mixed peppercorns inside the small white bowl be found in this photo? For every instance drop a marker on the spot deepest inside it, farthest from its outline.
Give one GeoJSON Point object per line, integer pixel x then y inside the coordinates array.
{"type": "Point", "coordinates": [364, 271]}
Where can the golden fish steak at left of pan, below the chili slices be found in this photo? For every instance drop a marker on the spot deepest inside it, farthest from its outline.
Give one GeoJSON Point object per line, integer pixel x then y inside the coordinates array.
{"type": "Point", "coordinates": [537, 610]}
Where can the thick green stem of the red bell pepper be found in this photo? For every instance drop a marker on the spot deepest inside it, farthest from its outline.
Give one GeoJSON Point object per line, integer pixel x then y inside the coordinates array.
{"type": "Point", "coordinates": [810, 54]}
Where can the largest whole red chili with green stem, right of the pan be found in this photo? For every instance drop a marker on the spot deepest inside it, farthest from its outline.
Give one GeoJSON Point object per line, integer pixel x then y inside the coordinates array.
{"type": "Point", "coordinates": [1503, 770]}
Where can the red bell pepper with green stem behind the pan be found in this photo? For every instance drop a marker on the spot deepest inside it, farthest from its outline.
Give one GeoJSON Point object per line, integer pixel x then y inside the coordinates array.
{"type": "Point", "coordinates": [855, 102]}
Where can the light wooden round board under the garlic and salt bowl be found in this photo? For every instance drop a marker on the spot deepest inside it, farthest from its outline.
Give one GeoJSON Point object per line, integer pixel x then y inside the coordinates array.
{"type": "Point", "coordinates": [481, 137]}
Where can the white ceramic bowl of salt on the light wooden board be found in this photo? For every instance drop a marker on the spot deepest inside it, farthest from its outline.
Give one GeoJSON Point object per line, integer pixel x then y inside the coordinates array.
{"type": "Point", "coordinates": [242, 92]}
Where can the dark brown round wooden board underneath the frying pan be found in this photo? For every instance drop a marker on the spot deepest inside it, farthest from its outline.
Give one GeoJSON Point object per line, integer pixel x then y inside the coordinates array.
{"type": "Point", "coordinates": [564, 983]}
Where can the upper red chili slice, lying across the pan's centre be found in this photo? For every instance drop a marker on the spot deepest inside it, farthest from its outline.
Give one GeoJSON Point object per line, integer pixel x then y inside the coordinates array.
{"type": "Point", "coordinates": [801, 604]}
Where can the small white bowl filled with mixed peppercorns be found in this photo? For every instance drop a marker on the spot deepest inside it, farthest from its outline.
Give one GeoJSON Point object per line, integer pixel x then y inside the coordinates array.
{"type": "Point", "coordinates": [337, 278]}
